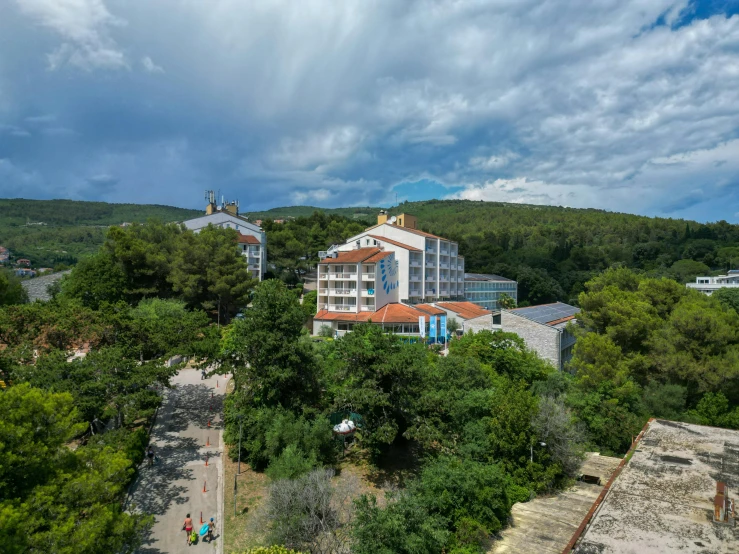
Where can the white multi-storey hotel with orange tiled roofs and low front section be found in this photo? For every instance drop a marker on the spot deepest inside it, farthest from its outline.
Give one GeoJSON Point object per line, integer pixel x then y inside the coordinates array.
{"type": "Point", "coordinates": [391, 274]}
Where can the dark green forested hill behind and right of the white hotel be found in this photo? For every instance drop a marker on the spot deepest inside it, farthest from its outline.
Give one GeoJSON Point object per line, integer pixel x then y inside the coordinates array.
{"type": "Point", "coordinates": [550, 250]}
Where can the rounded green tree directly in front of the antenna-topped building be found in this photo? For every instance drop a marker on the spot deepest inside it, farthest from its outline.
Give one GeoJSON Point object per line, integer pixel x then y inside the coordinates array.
{"type": "Point", "coordinates": [209, 272]}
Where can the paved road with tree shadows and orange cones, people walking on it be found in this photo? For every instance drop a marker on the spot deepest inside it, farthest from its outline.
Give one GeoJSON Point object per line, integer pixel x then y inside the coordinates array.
{"type": "Point", "coordinates": [174, 486]}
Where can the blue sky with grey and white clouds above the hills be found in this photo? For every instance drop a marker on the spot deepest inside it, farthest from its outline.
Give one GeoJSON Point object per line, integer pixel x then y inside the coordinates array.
{"type": "Point", "coordinates": [622, 105]}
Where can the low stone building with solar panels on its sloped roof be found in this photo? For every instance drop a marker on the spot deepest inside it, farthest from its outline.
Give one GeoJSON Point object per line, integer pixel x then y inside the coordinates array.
{"type": "Point", "coordinates": [544, 330]}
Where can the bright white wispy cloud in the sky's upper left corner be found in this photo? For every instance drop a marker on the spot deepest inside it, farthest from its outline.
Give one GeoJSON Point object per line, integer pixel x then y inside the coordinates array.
{"type": "Point", "coordinates": [85, 27]}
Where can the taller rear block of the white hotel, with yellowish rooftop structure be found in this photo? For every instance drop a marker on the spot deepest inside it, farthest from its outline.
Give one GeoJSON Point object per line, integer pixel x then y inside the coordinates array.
{"type": "Point", "coordinates": [429, 267]}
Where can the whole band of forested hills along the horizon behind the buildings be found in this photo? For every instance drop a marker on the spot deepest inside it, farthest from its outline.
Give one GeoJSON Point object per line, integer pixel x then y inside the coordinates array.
{"type": "Point", "coordinates": [551, 251]}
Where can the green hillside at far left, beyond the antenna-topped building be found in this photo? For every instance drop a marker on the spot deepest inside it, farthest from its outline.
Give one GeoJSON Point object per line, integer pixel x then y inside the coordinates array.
{"type": "Point", "coordinates": [54, 232]}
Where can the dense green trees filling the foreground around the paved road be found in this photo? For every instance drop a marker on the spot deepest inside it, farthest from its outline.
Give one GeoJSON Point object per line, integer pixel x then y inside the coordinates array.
{"type": "Point", "coordinates": [465, 435]}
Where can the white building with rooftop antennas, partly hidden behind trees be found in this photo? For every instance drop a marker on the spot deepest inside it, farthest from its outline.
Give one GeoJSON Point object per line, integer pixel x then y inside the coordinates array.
{"type": "Point", "coordinates": [252, 241]}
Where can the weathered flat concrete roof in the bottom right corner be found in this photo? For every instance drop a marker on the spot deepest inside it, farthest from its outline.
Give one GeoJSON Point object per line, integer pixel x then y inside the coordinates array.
{"type": "Point", "coordinates": [662, 500]}
